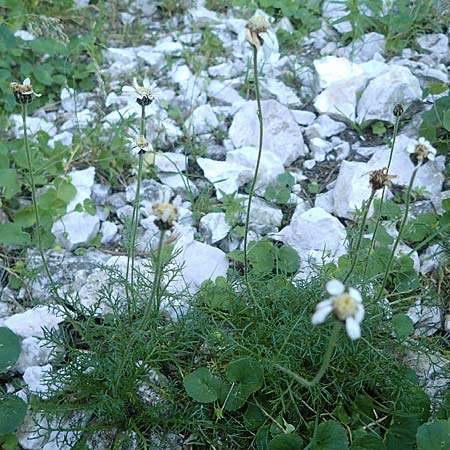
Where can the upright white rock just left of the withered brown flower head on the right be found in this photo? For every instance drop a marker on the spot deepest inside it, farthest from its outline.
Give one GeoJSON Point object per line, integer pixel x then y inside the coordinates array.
{"type": "Point", "coordinates": [352, 189]}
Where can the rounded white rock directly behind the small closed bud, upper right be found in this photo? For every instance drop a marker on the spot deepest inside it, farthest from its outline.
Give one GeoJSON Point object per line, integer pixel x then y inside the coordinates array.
{"type": "Point", "coordinates": [398, 85]}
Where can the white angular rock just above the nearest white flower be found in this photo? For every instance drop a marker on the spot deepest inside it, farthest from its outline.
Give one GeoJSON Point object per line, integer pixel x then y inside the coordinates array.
{"type": "Point", "coordinates": [315, 230]}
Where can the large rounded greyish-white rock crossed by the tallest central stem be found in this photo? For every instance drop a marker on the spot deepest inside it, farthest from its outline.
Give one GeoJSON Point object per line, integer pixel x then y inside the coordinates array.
{"type": "Point", "coordinates": [282, 135]}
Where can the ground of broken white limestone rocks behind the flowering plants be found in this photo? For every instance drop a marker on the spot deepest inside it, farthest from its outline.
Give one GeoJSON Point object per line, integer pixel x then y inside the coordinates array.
{"type": "Point", "coordinates": [318, 106]}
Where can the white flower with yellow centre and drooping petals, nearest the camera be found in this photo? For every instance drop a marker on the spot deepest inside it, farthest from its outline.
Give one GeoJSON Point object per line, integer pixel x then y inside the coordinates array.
{"type": "Point", "coordinates": [346, 306]}
